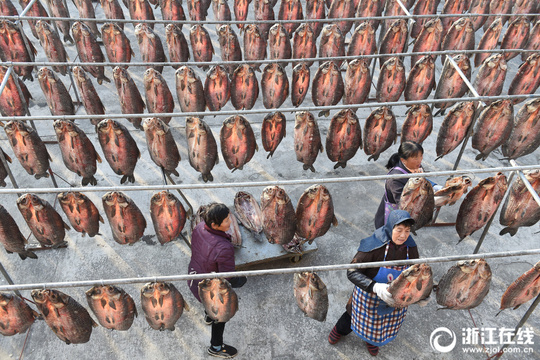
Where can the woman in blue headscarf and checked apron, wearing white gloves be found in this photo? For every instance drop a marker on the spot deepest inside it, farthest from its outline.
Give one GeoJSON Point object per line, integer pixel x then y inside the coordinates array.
{"type": "Point", "coordinates": [369, 312]}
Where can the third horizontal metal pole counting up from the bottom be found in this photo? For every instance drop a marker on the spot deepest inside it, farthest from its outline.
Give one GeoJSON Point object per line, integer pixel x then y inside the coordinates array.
{"type": "Point", "coordinates": [266, 111]}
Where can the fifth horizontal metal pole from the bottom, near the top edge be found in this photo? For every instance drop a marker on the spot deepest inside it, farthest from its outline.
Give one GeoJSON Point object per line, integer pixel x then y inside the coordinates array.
{"type": "Point", "coordinates": [247, 22]}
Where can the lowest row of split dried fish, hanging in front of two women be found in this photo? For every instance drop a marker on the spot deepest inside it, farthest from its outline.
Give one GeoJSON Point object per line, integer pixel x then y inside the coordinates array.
{"type": "Point", "coordinates": [463, 287]}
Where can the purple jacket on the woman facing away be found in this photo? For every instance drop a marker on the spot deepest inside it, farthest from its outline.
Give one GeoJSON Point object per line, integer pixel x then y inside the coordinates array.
{"type": "Point", "coordinates": [211, 251]}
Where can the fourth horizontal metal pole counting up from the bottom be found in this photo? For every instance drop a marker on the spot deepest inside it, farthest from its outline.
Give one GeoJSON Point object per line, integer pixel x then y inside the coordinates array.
{"type": "Point", "coordinates": [265, 61]}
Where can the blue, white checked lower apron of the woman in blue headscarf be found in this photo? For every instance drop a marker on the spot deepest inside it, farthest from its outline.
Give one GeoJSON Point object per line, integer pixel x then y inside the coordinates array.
{"type": "Point", "coordinates": [371, 326]}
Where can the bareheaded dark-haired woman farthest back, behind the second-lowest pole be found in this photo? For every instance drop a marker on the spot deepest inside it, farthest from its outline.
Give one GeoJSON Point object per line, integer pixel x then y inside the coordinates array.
{"type": "Point", "coordinates": [407, 160]}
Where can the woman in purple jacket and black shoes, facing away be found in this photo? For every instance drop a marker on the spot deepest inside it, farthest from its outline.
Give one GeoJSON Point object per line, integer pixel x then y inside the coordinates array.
{"type": "Point", "coordinates": [212, 251]}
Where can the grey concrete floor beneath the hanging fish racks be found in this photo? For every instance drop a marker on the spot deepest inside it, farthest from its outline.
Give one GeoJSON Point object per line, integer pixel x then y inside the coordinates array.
{"type": "Point", "coordinates": [269, 325]}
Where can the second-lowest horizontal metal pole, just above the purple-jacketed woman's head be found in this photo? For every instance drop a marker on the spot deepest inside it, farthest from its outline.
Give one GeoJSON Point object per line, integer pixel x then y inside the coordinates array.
{"type": "Point", "coordinates": [207, 186]}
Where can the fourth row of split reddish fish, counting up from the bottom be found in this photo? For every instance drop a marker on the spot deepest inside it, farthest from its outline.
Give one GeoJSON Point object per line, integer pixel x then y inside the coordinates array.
{"type": "Point", "coordinates": [241, 87]}
